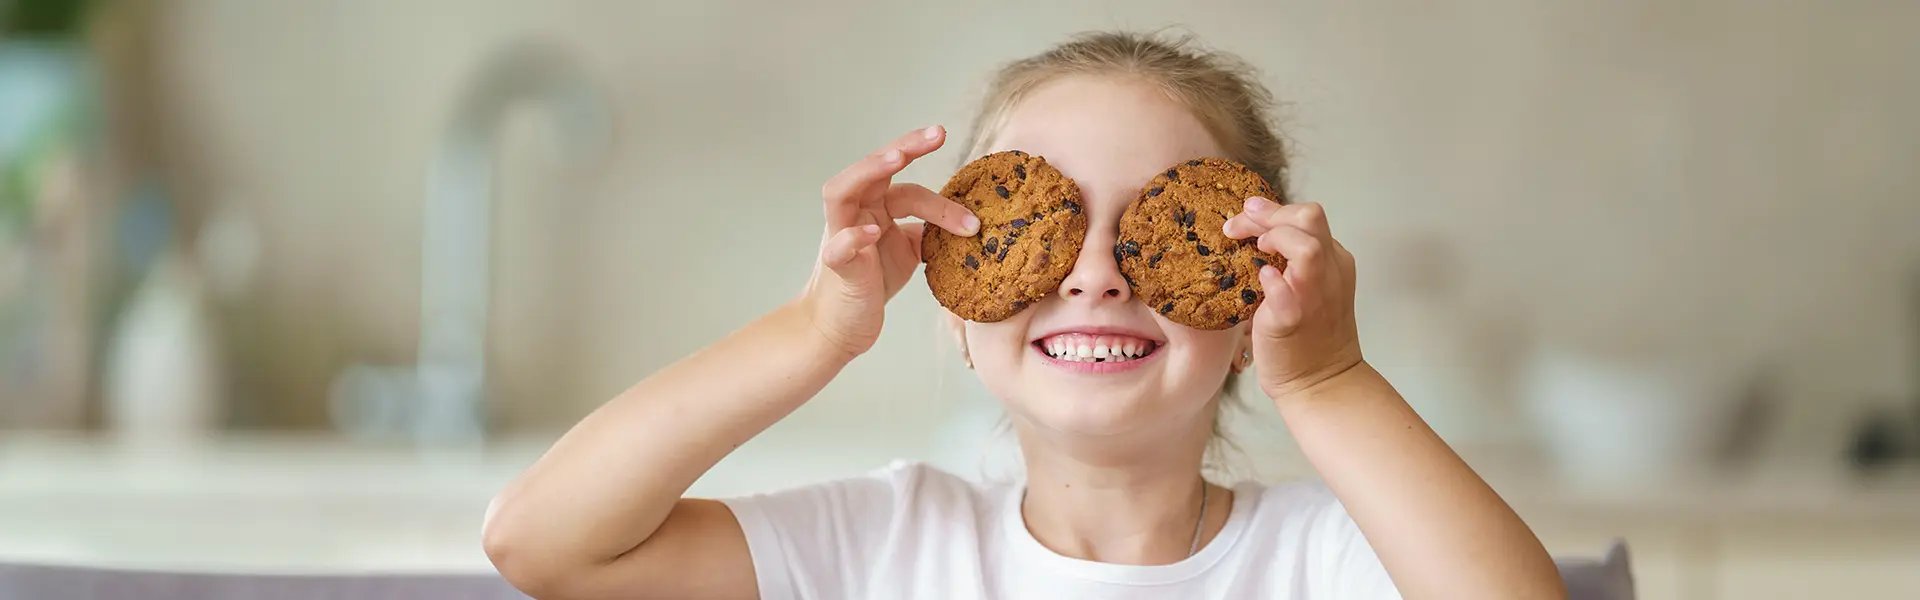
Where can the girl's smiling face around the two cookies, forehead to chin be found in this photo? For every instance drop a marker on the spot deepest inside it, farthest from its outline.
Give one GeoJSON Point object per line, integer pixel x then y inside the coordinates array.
{"type": "Point", "coordinates": [1111, 137]}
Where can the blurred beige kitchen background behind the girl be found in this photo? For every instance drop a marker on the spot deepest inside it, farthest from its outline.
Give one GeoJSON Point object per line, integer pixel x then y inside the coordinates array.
{"type": "Point", "coordinates": [299, 286]}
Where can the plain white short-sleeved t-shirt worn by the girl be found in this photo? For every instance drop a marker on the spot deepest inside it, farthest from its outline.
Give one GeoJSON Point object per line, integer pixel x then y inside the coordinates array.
{"type": "Point", "coordinates": [915, 532]}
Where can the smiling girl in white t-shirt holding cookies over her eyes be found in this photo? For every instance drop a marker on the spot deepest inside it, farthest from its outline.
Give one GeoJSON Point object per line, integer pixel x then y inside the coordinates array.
{"type": "Point", "coordinates": [1115, 503]}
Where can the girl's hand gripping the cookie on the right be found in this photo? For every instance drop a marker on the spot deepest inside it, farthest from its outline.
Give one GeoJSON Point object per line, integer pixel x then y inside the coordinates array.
{"type": "Point", "coordinates": [1305, 330]}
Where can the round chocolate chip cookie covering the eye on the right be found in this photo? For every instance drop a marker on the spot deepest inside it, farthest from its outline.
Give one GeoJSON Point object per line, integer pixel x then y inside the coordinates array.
{"type": "Point", "coordinates": [1174, 253]}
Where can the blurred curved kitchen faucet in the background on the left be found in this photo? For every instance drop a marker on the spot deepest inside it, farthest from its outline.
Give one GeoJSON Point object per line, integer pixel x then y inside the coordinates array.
{"type": "Point", "coordinates": [444, 395]}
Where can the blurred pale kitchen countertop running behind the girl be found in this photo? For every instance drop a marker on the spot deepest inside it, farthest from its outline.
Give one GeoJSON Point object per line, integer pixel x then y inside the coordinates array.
{"type": "Point", "coordinates": [318, 503]}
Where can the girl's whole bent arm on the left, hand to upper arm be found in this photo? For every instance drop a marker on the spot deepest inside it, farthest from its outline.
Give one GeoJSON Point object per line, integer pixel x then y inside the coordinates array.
{"type": "Point", "coordinates": [602, 514]}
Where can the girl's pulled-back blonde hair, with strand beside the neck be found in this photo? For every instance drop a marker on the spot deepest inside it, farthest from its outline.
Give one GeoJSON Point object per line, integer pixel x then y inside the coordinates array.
{"type": "Point", "coordinates": [1220, 89]}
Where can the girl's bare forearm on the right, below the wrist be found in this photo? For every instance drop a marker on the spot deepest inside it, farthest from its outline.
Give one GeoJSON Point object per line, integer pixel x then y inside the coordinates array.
{"type": "Point", "coordinates": [1437, 526]}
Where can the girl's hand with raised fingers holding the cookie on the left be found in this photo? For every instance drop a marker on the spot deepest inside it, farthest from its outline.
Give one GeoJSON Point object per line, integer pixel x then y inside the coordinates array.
{"type": "Point", "coordinates": [865, 257]}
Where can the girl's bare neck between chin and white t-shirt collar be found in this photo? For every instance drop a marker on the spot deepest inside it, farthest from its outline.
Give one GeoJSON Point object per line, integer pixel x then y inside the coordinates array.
{"type": "Point", "coordinates": [1138, 509]}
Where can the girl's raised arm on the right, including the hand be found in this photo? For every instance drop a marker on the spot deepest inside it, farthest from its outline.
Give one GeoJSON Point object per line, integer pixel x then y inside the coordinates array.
{"type": "Point", "coordinates": [1441, 532]}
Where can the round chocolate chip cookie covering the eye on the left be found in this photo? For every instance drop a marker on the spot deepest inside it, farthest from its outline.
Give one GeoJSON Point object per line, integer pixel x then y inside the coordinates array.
{"type": "Point", "coordinates": [1032, 228]}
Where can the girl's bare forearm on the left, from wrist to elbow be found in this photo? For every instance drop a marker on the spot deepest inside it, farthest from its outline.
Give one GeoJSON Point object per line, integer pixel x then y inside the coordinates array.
{"type": "Point", "coordinates": [613, 480]}
